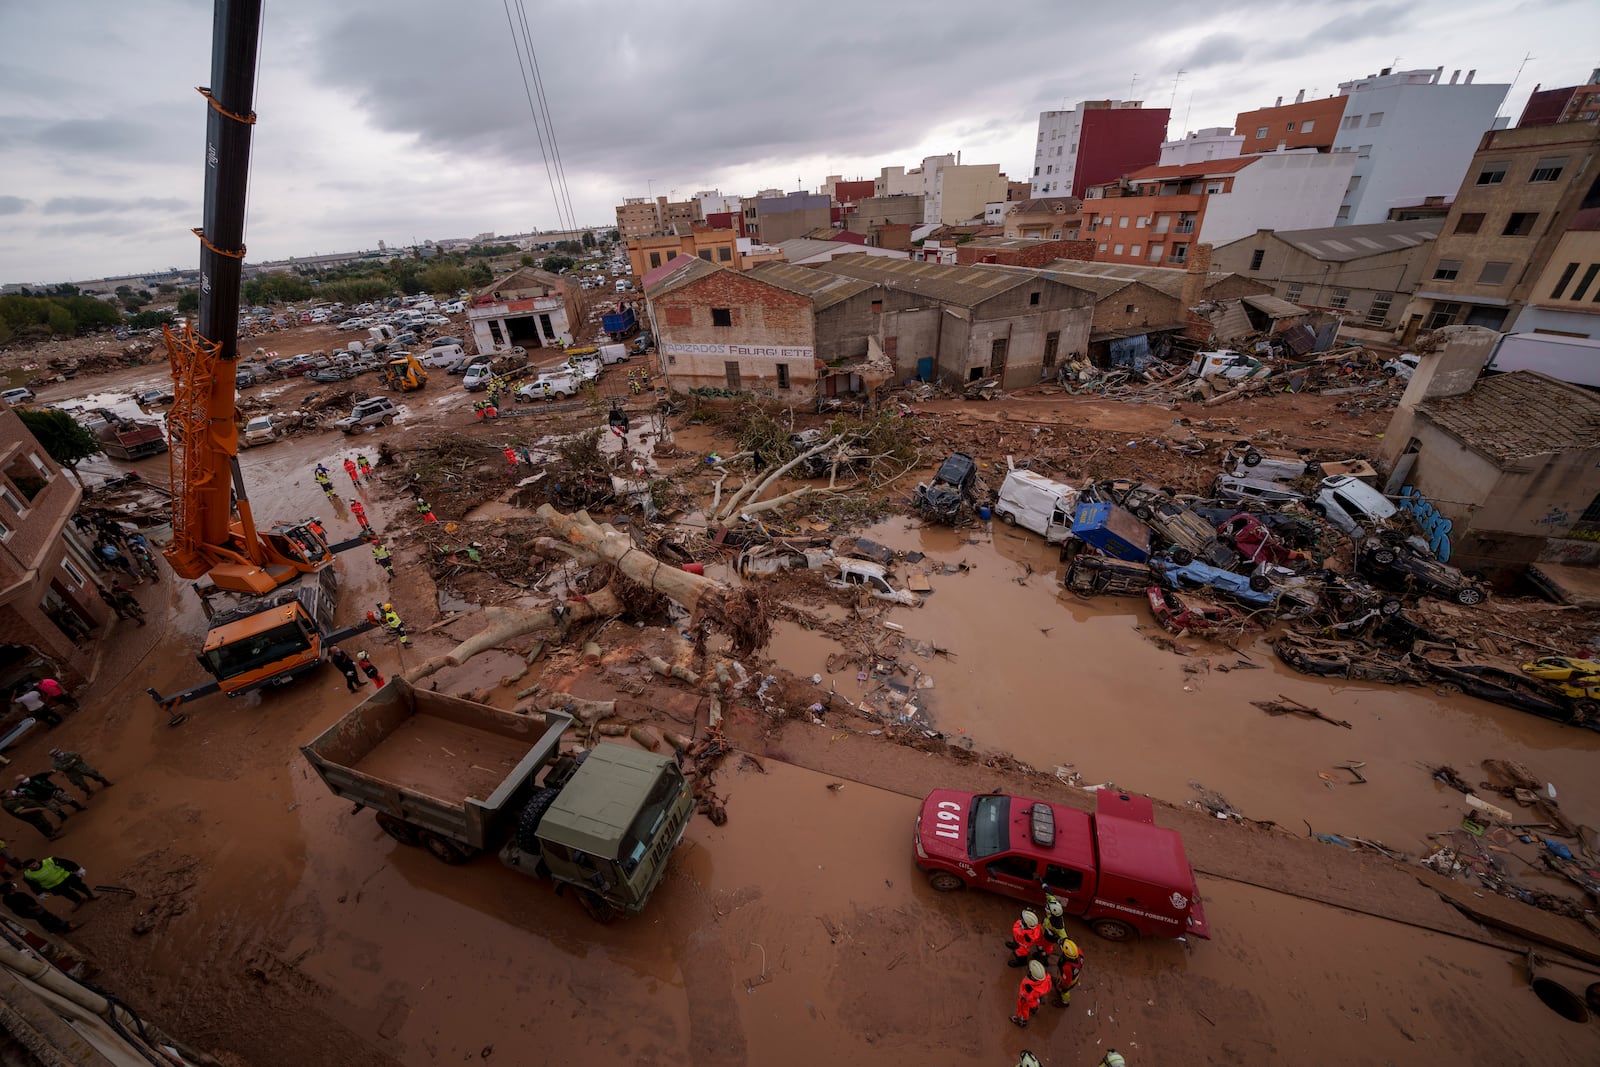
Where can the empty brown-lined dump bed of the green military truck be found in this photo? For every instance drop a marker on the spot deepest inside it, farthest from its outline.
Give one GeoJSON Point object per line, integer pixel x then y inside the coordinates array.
{"type": "Point", "coordinates": [447, 765]}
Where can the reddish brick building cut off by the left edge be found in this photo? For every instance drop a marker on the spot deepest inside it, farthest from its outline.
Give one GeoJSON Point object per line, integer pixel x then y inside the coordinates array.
{"type": "Point", "coordinates": [50, 602]}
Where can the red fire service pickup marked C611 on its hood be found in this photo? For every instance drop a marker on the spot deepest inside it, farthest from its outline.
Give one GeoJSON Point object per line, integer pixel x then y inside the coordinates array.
{"type": "Point", "coordinates": [1116, 869]}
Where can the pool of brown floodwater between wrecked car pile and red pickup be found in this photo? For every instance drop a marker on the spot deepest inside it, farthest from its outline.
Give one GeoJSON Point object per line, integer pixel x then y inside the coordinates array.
{"type": "Point", "coordinates": [1070, 682]}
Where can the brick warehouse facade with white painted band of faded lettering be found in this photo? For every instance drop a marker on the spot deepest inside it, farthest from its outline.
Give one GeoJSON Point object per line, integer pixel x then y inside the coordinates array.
{"type": "Point", "coordinates": [718, 329]}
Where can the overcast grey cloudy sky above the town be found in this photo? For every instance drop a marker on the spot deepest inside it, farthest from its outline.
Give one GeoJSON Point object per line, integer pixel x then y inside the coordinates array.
{"type": "Point", "coordinates": [407, 119]}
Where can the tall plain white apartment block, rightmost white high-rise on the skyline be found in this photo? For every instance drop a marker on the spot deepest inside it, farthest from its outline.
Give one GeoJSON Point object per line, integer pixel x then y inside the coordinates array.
{"type": "Point", "coordinates": [1412, 138]}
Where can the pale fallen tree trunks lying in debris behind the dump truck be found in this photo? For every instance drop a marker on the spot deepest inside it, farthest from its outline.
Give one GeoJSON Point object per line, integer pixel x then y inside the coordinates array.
{"type": "Point", "coordinates": [713, 605]}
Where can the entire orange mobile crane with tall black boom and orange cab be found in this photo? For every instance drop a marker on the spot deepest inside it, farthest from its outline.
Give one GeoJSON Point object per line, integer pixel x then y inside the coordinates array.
{"type": "Point", "coordinates": [282, 581]}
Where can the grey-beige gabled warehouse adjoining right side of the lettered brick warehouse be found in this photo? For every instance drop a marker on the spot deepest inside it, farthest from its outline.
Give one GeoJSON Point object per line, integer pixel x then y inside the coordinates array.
{"type": "Point", "coordinates": [967, 324]}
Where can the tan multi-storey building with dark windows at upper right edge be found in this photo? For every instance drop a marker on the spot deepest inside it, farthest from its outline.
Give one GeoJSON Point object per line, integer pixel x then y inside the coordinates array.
{"type": "Point", "coordinates": [1519, 198]}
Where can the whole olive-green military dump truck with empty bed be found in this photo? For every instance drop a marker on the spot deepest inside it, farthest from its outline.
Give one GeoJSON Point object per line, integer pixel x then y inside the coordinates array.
{"type": "Point", "coordinates": [462, 778]}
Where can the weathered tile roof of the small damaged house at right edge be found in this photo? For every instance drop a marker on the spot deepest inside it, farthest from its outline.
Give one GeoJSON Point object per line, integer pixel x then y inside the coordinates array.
{"type": "Point", "coordinates": [1521, 414]}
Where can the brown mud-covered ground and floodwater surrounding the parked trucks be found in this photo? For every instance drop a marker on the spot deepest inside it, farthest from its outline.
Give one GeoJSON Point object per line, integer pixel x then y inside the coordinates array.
{"type": "Point", "coordinates": [273, 924]}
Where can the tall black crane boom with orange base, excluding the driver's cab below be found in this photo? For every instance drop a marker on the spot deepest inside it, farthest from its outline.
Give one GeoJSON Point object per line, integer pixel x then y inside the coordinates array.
{"type": "Point", "coordinates": [204, 428]}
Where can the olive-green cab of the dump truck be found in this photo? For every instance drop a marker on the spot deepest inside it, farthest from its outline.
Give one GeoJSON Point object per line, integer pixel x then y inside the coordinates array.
{"type": "Point", "coordinates": [609, 829]}
